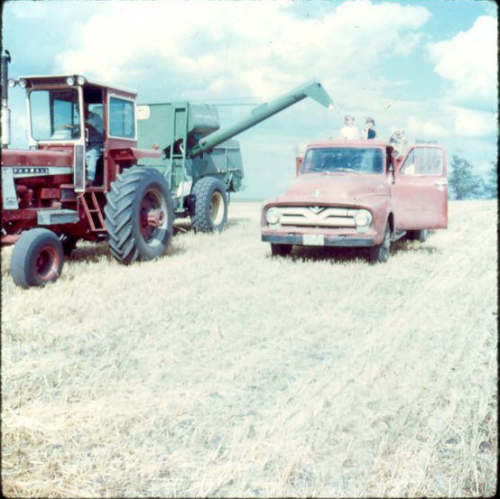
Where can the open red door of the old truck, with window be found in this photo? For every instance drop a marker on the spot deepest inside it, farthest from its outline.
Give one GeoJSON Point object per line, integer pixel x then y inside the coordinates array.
{"type": "Point", "coordinates": [420, 189]}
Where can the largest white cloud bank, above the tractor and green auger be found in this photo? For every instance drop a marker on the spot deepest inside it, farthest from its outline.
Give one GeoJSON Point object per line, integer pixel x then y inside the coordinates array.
{"type": "Point", "coordinates": [249, 48]}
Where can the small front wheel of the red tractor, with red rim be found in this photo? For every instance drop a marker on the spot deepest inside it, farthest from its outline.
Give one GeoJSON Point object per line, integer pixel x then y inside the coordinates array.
{"type": "Point", "coordinates": [37, 258]}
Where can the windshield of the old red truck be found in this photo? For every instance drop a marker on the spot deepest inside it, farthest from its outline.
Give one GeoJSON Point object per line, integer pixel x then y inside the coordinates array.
{"type": "Point", "coordinates": [344, 159]}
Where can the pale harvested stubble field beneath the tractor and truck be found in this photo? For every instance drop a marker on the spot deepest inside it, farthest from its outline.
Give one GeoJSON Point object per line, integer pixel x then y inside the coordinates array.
{"type": "Point", "coordinates": [220, 371]}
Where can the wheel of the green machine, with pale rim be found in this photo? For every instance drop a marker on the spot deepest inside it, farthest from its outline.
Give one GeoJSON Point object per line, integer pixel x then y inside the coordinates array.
{"type": "Point", "coordinates": [210, 205]}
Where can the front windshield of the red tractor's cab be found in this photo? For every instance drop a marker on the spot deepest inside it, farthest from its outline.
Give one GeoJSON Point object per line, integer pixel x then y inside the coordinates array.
{"type": "Point", "coordinates": [55, 114]}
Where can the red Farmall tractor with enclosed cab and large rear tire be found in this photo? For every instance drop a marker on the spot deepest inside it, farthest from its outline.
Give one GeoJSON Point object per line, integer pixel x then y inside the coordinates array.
{"type": "Point", "coordinates": [48, 200]}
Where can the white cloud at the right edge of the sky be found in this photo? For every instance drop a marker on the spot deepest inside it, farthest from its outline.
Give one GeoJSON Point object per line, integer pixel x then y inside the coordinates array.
{"type": "Point", "coordinates": [469, 61]}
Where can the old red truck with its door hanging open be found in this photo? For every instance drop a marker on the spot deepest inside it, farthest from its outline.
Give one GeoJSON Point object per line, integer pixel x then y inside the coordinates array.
{"type": "Point", "coordinates": [357, 193]}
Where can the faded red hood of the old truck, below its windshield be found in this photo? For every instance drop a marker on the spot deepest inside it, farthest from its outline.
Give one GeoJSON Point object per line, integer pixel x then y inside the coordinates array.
{"type": "Point", "coordinates": [338, 188]}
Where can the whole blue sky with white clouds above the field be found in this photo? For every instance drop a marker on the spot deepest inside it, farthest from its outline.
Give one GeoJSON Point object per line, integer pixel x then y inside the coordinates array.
{"type": "Point", "coordinates": [429, 67]}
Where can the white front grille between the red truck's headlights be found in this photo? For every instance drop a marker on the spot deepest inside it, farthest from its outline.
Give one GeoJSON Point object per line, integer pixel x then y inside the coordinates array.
{"type": "Point", "coordinates": [317, 216]}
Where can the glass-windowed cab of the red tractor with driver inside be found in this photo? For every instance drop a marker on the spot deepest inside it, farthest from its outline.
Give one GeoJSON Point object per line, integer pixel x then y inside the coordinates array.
{"type": "Point", "coordinates": [81, 120]}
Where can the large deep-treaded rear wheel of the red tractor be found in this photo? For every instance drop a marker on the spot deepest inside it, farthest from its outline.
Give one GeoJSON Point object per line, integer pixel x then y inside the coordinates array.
{"type": "Point", "coordinates": [138, 215]}
